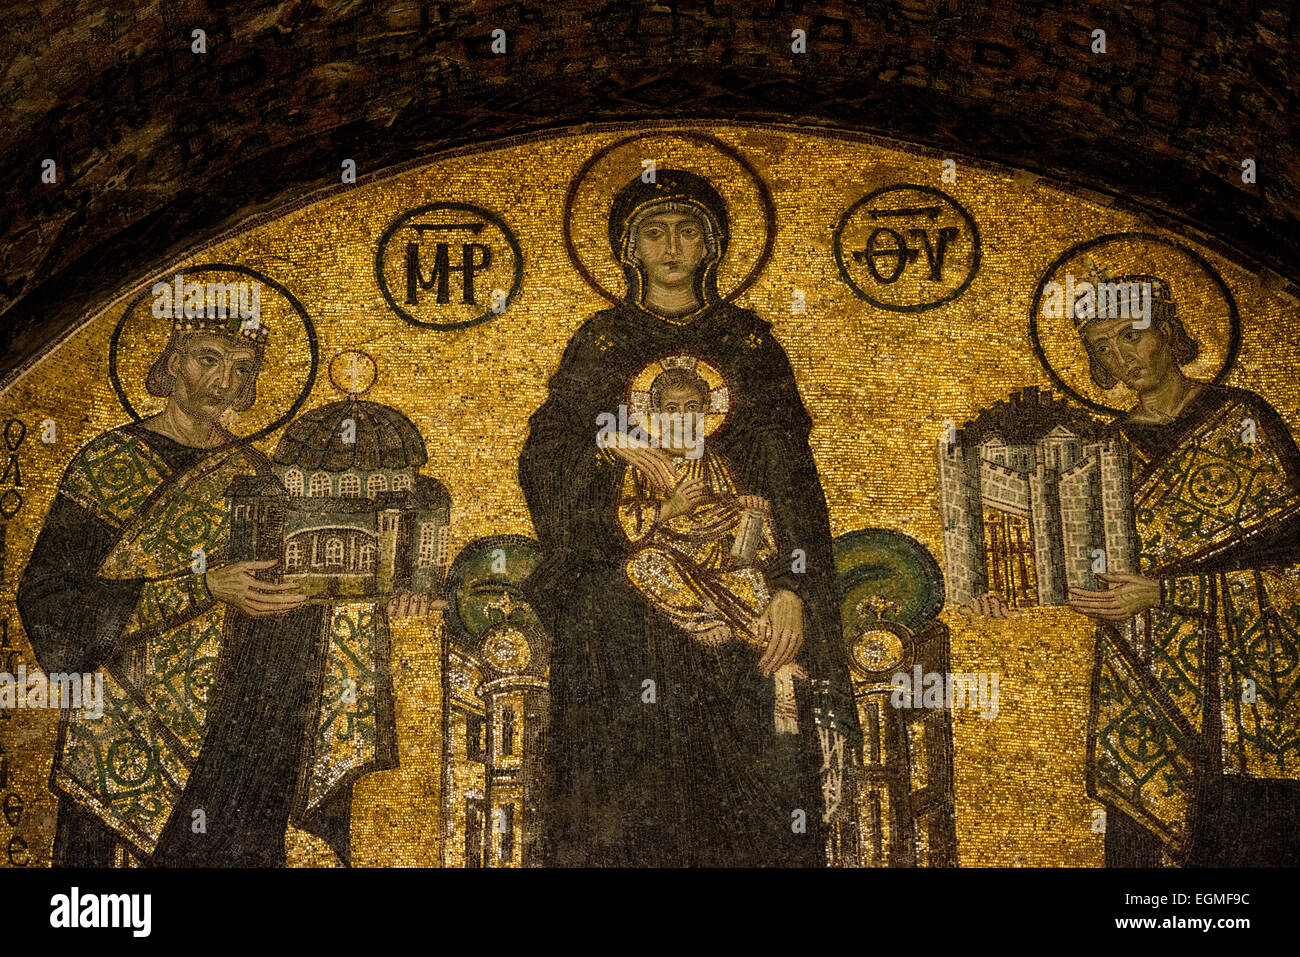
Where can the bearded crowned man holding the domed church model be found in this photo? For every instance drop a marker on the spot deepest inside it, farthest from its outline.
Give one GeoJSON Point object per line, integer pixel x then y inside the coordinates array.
{"type": "Point", "coordinates": [211, 672]}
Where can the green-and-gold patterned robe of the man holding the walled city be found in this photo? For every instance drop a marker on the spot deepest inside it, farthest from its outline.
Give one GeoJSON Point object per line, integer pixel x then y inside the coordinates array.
{"type": "Point", "coordinates": [1199, 699]}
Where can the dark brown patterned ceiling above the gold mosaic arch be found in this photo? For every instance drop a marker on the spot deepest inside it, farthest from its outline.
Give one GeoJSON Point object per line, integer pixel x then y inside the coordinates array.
{"type": "Point", "coordinates": [159, 149]}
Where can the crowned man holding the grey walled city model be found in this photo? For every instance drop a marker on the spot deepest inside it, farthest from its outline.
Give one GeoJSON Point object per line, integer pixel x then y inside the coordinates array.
{"type": "Point", "coordinates": [1194, 729]}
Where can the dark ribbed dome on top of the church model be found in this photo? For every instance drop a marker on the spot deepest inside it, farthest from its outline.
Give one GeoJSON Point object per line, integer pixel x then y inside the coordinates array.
{"type": "Point", "coordinates": [385, 439]}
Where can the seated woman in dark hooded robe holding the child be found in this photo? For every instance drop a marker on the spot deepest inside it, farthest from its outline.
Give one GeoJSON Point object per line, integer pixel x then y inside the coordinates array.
{"type": "Point", "coordinates": [662, 748]}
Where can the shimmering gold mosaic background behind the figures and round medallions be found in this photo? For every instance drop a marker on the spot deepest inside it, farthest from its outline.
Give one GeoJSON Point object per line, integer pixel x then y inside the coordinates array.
{"type": "Point", "coordinates": [878, 384]}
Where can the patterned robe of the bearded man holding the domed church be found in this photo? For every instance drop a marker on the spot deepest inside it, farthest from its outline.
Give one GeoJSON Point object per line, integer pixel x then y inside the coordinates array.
{"type": "Point", "coordinates": [218, 729]}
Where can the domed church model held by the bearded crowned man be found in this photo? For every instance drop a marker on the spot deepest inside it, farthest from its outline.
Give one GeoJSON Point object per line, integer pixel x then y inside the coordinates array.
{"type": "Point", "coordinates": [349, 514]}
